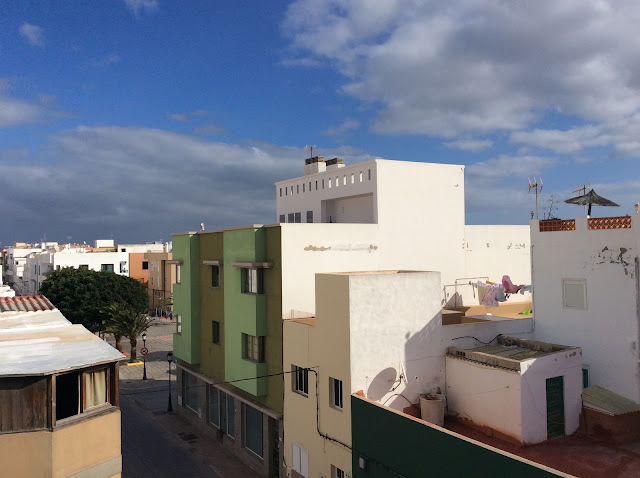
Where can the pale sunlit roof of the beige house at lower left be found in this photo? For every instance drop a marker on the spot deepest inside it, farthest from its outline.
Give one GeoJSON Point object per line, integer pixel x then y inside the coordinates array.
{"type": "Point", "coordinates": [43, 342]}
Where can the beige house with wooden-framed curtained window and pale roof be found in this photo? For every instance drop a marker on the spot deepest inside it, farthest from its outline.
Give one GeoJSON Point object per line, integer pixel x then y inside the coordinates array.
{"type": "Point", "coordinates": [58, 393]}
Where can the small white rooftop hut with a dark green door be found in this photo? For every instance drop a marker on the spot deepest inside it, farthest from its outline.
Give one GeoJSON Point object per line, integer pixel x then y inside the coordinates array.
{"type": "Point", "coordinates": [526, 391]}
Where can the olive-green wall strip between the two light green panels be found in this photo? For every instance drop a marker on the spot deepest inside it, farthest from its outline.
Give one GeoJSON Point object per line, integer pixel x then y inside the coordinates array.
{"type": "Point", "coordinates": [211, 306]}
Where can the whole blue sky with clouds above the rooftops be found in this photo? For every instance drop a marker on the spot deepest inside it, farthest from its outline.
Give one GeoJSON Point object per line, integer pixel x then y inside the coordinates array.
{"type": "Point", "coordinates": [134, 119]}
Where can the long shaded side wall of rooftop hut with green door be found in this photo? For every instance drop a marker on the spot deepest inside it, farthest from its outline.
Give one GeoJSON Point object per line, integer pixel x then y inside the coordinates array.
{"type": "Point", "coordinates": [488, 396]}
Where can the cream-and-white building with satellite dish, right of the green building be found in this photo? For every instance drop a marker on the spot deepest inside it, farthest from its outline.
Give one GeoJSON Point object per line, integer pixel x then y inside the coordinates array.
{"type": "Point", "coordinates": [375, 333]}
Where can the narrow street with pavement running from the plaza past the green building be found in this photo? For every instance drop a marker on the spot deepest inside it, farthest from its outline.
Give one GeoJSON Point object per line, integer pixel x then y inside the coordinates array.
{"type": "Point", "coordinates": [156, 443]}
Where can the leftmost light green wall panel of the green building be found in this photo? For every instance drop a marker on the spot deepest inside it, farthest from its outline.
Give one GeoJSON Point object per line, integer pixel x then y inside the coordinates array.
{"type": "Point", "coordinates": [186, 345]}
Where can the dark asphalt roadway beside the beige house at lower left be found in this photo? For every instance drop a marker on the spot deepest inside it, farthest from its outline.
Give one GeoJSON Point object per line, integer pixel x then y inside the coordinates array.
{"type": "Point", "coordinates": [150, 451]}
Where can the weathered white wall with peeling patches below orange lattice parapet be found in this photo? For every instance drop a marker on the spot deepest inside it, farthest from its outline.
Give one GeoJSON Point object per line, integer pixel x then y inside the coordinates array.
{"type": "Point", "coordinates": [607, 329]}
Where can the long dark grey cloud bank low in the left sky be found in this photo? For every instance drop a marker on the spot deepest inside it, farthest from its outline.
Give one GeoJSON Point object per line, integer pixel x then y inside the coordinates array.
{"type": "Point", "coordinates": [165, 181]}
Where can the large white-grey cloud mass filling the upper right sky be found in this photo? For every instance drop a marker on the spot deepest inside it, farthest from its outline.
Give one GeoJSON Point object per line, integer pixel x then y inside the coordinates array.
{"type": "Point", "coordinates": [449, 68]}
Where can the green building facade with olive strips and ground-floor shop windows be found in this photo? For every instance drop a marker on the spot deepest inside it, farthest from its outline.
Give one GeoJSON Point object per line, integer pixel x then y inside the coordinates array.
{"type": "Point", "coordinates": [229, 341]}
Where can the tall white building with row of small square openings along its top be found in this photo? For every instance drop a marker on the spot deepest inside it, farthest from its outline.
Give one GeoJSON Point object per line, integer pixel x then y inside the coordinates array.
{"type": "Point", "coordinates": [415, 214]}
